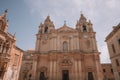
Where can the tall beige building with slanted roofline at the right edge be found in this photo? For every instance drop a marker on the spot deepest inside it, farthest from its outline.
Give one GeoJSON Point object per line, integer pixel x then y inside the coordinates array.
{"type": "Point", "coordinates": [113, 43]}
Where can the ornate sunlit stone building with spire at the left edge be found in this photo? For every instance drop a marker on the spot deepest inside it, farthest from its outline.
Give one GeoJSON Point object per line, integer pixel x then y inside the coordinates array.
{"type": "Point", "coordinates": [10, 54]}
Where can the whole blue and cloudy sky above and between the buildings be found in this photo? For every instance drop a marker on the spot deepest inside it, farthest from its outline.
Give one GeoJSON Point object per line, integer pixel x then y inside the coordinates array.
{"type": "Point", "coordinates": [26, 15]}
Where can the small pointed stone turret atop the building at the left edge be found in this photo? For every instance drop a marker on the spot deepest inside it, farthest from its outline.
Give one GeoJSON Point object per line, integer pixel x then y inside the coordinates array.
{"type": "Point", "coordinates": [3, 22]}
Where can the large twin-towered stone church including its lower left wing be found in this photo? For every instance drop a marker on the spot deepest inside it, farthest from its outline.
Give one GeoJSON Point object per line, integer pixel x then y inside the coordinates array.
{"type": "Point", "coordinates": [63, 54]}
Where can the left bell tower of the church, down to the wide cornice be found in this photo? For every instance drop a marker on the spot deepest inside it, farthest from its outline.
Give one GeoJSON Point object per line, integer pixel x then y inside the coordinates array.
{"type": "Point", "coordinates": [44, 30]}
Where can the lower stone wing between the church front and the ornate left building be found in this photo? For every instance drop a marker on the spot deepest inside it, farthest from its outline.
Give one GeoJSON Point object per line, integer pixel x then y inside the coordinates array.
{"type": "Point", "coordinates": [27, 67]}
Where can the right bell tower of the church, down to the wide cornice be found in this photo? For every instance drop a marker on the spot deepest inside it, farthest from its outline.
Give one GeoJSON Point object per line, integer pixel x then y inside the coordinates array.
{"type": "Point", "coordinates": [86, 34]}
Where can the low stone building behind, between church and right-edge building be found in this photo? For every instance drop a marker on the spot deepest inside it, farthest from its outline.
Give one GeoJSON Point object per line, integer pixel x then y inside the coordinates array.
{"type": "Point", "coordinates": [108, 71]}
